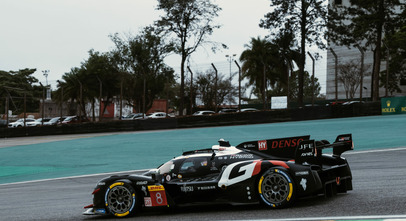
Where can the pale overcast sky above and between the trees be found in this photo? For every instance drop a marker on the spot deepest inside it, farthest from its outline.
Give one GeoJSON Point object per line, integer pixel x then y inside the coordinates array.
{"type": "Point", "coordinates": [56, 35]}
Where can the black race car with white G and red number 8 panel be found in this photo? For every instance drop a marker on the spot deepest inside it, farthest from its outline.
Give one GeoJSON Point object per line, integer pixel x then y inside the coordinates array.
{"type": "Point", "coordinates": [272, 172]}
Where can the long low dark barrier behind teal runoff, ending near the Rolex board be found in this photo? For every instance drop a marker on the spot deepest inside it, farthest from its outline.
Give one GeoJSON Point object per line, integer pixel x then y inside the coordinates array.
{"type": "Point", "coordinates": [271, 116]}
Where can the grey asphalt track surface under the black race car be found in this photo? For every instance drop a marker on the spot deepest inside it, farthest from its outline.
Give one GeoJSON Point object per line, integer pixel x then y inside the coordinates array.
{"type": "Point", "coordinates": [379, 191]}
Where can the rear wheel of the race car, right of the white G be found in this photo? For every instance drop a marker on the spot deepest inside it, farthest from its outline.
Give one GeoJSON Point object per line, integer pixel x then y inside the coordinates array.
{"type": "Point", "coordinates": [276, 188]}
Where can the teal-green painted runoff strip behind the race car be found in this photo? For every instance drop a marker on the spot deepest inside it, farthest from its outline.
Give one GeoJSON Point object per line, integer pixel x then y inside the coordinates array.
{"type": "Point", "coordinates": [143, 150]}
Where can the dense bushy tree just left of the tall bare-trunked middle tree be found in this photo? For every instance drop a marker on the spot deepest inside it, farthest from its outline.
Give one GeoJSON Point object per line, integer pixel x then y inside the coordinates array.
{"type": "Point", "coordinates": [142, 57]}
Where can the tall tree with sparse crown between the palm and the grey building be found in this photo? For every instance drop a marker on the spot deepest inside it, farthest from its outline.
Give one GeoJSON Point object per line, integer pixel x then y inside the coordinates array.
{"type": "Point", "coordinates": [304, 17]}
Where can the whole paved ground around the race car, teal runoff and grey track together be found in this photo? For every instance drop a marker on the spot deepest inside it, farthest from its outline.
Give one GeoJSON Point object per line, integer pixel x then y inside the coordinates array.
{"type": "Point", "coordinates": [378, 170]}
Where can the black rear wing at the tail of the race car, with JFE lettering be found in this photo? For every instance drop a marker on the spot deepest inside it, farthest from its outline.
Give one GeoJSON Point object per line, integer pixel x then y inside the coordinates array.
{"type": "Point", "coordinates": [310, 150]}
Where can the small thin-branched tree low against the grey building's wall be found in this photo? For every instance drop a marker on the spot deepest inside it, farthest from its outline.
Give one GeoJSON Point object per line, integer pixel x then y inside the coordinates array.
{"type": "Point", "coordinates": [350, 77]}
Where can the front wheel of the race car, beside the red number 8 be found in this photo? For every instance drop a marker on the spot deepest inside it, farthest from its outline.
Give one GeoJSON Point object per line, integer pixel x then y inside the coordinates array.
{"type": "Point", "coordinates": [121, 199]}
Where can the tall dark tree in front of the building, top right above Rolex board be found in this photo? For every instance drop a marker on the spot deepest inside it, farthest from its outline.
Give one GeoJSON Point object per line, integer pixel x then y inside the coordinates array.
{"type": "Point", "coordinates": [363, 23]}
